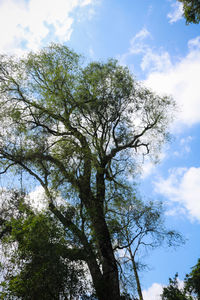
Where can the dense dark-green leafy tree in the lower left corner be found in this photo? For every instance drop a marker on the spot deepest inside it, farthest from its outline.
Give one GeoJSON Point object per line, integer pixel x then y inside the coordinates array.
{"type": "Point", "coordinates": [35, 266]}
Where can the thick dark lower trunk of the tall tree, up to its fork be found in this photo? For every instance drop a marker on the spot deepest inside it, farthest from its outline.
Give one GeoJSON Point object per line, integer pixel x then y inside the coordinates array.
{"type": "Point", "coordinates": [95, 208]}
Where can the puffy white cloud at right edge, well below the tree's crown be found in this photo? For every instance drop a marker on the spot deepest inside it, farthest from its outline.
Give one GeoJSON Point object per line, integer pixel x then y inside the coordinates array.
{"type": "Point", "coordinates": [182, 186]}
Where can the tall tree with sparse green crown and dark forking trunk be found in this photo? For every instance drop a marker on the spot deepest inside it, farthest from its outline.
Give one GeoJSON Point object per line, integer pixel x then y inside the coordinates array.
{"type": "Point", "coordinates": [76, 129]}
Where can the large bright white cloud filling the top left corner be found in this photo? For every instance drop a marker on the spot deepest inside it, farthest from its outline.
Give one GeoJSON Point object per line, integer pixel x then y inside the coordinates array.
{"type": "Point", "coordinates": [28, 23]}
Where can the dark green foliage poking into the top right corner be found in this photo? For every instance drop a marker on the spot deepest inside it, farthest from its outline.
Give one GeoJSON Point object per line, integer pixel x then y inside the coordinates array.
{"type": "Point", "coordinates": [191, 10]}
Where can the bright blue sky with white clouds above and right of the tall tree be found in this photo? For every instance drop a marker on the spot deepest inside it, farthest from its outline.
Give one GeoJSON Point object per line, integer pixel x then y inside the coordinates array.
{"type": "Point", "coordinates": [152, 39]}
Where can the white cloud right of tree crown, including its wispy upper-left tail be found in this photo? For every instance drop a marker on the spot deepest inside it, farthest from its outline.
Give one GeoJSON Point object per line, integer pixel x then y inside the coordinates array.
{"type": "Point", "coordinates": [180, 79]}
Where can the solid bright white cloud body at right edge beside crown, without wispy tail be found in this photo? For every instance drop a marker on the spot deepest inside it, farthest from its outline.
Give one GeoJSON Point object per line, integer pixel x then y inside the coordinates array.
{"type": "Point", "coordinates": [181, 80]}
